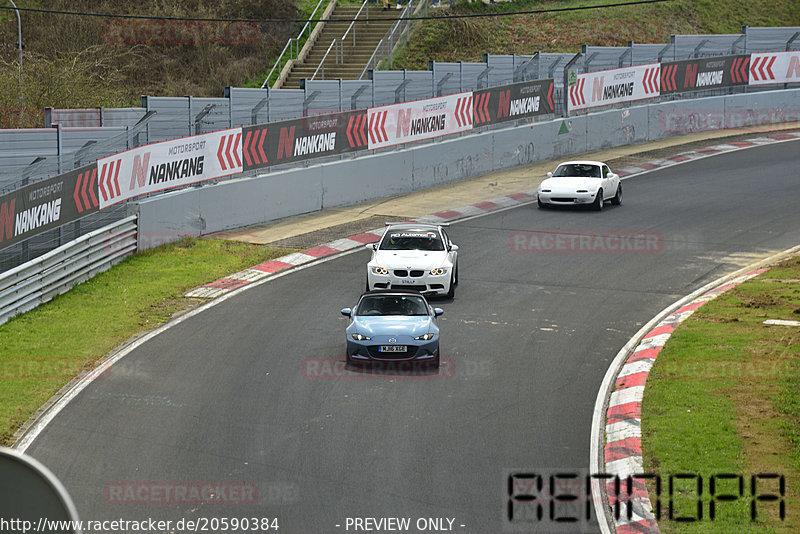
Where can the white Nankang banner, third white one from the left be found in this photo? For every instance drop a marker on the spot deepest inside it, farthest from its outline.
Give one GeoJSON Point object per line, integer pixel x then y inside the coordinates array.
{"type": "Point", "coordinates": [606, 87]}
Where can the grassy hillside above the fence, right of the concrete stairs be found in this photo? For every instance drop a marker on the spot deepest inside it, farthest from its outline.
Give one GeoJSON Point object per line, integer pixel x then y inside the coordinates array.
{"type": "Point", "coordinates": [452, 39]}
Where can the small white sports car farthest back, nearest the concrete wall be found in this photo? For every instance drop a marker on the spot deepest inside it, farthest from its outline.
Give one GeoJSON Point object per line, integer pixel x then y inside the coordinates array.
{"type": "Point", "coordinates": [580, 182]}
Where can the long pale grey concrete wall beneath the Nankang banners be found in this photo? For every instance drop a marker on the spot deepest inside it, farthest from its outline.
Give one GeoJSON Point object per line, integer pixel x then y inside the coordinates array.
{"type": "Point", "coordinates": [248, 201]}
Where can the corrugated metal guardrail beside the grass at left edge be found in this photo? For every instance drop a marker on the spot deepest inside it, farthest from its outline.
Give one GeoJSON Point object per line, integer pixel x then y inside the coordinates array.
{"type": "Point", "coordinates": [38, 281]}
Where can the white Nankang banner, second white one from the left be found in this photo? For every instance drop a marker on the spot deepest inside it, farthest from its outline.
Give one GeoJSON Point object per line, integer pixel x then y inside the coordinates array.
{"type": "Point", "coordinates": [421, 119]}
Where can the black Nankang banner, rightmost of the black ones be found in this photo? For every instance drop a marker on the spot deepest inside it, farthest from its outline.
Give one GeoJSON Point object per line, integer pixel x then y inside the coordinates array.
{"type": "Point", "coordinates": [704, 73]}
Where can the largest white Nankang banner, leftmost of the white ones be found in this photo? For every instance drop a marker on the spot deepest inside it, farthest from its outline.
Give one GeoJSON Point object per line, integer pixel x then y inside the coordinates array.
{"type": "Point", "coordinates": [168, 165]}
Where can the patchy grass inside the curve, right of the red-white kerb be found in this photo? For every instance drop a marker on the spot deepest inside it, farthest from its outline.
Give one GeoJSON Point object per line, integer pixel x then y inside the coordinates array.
{"type": "Point", "coordinates": [724, 397]}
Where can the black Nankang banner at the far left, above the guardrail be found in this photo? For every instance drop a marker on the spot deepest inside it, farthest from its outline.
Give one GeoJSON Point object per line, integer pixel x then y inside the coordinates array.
{"type": "Point", "coordinates": [47, 204]}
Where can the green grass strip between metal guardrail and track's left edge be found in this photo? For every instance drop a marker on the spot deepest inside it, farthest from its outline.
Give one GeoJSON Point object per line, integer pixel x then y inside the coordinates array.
{"type": "Point", "coordinates": [42, 350]}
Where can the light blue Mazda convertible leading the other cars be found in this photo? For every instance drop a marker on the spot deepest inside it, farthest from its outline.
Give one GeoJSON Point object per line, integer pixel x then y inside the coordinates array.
{"type": "Point", "coordinates": [393, 326]}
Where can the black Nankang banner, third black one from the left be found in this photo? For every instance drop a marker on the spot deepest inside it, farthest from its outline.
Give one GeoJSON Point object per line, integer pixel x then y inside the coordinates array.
{"type": "Point", "coordinates": [513, 101]}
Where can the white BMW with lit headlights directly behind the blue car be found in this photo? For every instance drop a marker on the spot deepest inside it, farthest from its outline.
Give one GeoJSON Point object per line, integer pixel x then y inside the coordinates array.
{"type": "Point", "coordinates": [414, 256]}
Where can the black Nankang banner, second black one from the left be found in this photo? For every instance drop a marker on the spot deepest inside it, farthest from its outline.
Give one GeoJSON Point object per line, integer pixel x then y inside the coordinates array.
{"type": "Point", "coordinates": [298, 139]}
